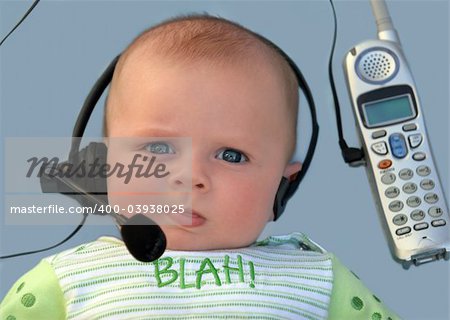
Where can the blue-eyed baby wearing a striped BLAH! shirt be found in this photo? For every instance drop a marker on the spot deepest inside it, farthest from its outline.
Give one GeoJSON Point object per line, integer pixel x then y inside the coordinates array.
{"type": "Point", "coordinates": [237, 99]}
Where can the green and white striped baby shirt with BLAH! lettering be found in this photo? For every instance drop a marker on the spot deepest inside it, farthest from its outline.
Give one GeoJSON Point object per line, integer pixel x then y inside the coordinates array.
{"type": "Point", "coordinates": [281, 277]}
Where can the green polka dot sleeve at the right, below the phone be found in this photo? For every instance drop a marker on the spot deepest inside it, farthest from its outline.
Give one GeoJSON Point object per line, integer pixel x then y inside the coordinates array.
{"type": "Point", "coordinates": [350, 299]}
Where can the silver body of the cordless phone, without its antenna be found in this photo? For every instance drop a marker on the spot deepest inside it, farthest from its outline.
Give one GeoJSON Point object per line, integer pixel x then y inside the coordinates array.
{"type": "Point", "coordinates": [416, 221]}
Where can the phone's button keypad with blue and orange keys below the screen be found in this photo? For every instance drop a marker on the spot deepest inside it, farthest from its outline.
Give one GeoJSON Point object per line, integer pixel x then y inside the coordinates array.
{"type": "Point", "coordinates": [418, 201]}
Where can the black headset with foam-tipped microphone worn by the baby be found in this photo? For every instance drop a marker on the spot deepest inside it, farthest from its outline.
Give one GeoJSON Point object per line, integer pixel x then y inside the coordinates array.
{"type": "Point", "coordinates": [143, 238]}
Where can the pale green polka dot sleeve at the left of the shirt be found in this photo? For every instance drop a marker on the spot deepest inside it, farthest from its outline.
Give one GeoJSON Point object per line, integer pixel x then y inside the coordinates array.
{"type": "Point", "coordinates": [36, 295]}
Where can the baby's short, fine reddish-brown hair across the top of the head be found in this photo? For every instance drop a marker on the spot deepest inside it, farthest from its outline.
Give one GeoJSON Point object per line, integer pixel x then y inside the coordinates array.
{"type": "Point", "coordinates": [214, 40]}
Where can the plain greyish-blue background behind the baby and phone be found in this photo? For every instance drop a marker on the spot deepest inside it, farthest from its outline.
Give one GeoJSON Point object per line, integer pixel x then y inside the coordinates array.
{"type": "Point", "coordinates": [53, 59]}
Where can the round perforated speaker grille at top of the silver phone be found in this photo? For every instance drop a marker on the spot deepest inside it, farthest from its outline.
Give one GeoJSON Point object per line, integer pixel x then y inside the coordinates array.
{"type": "Point", "coordinates": [377, 66]}
